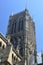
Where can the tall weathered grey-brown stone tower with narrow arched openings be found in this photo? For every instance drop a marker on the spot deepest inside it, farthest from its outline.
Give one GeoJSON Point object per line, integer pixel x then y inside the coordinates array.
{"type": "Point", "coordinates": [21, 33]}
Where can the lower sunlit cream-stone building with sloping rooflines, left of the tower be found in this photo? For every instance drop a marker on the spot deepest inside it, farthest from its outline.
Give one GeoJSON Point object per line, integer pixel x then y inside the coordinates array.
{"type": "Point", "coordinates": [6, 52]}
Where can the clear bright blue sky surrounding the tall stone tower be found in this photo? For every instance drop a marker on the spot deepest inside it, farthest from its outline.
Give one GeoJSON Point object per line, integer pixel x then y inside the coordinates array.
{"type": "Point", "coordinates": [35, 8]}
